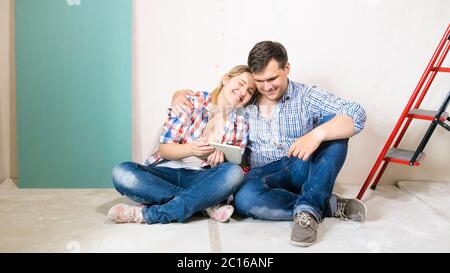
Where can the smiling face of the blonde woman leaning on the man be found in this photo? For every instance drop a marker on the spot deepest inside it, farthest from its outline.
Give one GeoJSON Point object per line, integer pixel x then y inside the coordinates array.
{"type": "Point", "coordinates": [238, 90]}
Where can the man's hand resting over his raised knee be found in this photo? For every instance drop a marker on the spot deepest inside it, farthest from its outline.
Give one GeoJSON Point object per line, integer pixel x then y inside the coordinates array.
{"type": "Point", "coordinates": [305, 146]}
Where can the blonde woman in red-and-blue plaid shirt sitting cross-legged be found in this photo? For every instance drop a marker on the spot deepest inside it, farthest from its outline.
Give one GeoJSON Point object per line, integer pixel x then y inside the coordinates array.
{"type": "Point", "coordinates": [187, 175]}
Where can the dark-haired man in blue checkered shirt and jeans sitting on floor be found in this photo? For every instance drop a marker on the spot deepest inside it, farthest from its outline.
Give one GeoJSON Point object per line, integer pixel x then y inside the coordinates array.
{"type": "Point", "coordinates": [298, 138]}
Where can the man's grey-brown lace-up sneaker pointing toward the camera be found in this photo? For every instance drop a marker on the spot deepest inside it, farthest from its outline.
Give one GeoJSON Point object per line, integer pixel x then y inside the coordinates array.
{"type": "Point", "coordinates": [304, 231]}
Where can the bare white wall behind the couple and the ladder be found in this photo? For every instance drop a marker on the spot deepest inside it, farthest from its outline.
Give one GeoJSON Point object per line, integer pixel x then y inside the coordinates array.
{"type": "Point", "coordinates": [371, 51]}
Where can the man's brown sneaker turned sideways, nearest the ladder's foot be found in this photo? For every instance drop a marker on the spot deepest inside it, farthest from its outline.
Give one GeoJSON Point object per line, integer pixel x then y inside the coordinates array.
{"type": "Point", "coordinates": [350, 209]}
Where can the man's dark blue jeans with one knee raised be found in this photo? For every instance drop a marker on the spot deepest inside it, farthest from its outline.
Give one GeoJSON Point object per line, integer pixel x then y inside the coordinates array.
{"type": "Point", "coordinates": [278, 190]}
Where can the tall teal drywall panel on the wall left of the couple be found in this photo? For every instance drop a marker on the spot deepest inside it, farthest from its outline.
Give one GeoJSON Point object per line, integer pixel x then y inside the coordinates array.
{"type": "Point", "coordinates": [73, 69]}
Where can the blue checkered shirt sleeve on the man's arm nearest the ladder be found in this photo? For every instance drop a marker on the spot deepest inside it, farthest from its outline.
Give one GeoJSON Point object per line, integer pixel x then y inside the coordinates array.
{"type": "Point", "coordinates": [323, 103]}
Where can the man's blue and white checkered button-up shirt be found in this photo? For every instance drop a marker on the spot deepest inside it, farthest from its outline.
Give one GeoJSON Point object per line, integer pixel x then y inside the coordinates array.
{"type": "Point", "coordinates": [297, 113]}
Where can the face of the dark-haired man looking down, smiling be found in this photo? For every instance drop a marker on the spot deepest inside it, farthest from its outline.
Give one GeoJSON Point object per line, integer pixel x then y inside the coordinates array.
{"type": "Point", "coordinates": [272, 81]}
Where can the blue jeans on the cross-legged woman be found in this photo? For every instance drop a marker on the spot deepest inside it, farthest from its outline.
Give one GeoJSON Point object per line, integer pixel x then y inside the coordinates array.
{"type": "Point", "coordinates": [175, 194]}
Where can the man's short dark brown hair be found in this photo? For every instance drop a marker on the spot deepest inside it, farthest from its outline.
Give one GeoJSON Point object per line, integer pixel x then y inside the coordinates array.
{"type": "Point", "coordinates": [263, 52]}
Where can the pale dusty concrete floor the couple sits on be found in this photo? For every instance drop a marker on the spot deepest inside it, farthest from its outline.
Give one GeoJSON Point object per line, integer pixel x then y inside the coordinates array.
{"type": "Point", "coordinates": [409, 217]}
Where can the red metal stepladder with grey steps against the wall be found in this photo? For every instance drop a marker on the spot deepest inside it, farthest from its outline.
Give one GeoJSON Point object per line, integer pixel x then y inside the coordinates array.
{"type": "Point", "coordinates": [412, 158]}
